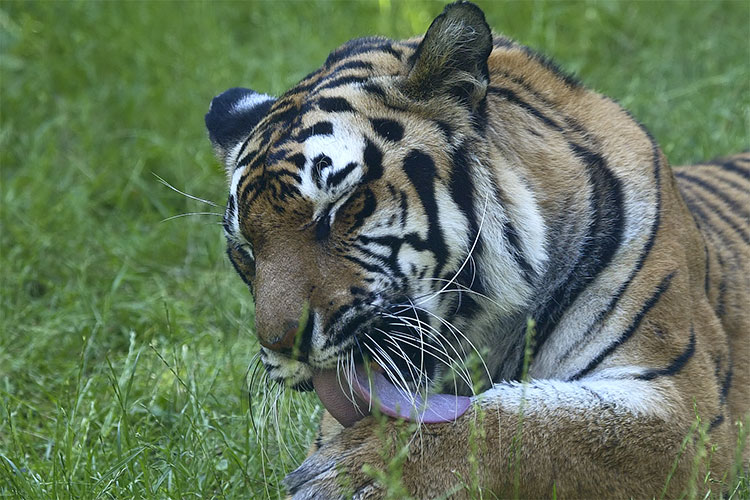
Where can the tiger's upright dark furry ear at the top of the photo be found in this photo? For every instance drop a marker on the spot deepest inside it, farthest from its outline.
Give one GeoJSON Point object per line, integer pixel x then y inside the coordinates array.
{"type": "Point", "coordinates": [452, 57]}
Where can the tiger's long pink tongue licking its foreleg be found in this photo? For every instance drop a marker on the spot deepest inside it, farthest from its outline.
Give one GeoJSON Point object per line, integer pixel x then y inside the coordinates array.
{"type": "Point", "coordinates": [350, 405]}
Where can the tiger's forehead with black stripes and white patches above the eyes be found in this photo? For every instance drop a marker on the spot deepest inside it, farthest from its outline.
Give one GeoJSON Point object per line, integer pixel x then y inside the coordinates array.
{"type": "Point", "coordinates": [317, 149]}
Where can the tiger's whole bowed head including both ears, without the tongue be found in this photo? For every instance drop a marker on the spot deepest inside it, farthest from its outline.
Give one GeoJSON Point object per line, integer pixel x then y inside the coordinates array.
{"type": "Point", "coordinates": [356, 204]}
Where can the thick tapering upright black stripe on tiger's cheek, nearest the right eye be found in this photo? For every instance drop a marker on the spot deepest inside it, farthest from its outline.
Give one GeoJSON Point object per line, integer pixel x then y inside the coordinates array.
{"type": "Point", "coordinates": [421, 171]}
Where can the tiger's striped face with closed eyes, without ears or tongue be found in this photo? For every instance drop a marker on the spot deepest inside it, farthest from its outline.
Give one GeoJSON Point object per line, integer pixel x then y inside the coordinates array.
{"type": "Point", "coordinates": [341, 216]}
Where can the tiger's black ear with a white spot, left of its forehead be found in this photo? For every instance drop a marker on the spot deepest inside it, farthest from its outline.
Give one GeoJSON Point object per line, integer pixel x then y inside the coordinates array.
{"type": "Point", "coordinates": [230, 118]}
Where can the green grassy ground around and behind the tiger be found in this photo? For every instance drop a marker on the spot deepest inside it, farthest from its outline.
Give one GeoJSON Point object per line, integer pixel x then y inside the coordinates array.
{"type": "Point", "coordinates": [125, 341]}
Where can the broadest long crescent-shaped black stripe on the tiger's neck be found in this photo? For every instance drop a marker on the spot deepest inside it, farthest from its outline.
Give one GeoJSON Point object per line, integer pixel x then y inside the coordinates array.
{"type": "Point", "coordinates": [601, 242]}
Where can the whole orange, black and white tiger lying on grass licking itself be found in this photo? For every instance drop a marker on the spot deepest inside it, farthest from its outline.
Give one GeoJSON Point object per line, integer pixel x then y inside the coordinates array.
{"type": "Point", "coordinates": [411, 206]}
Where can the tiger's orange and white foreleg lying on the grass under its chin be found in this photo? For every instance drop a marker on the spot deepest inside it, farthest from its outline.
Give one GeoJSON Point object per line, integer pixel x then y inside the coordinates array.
{"type": "Point", "coordinates": [589, 438]}
